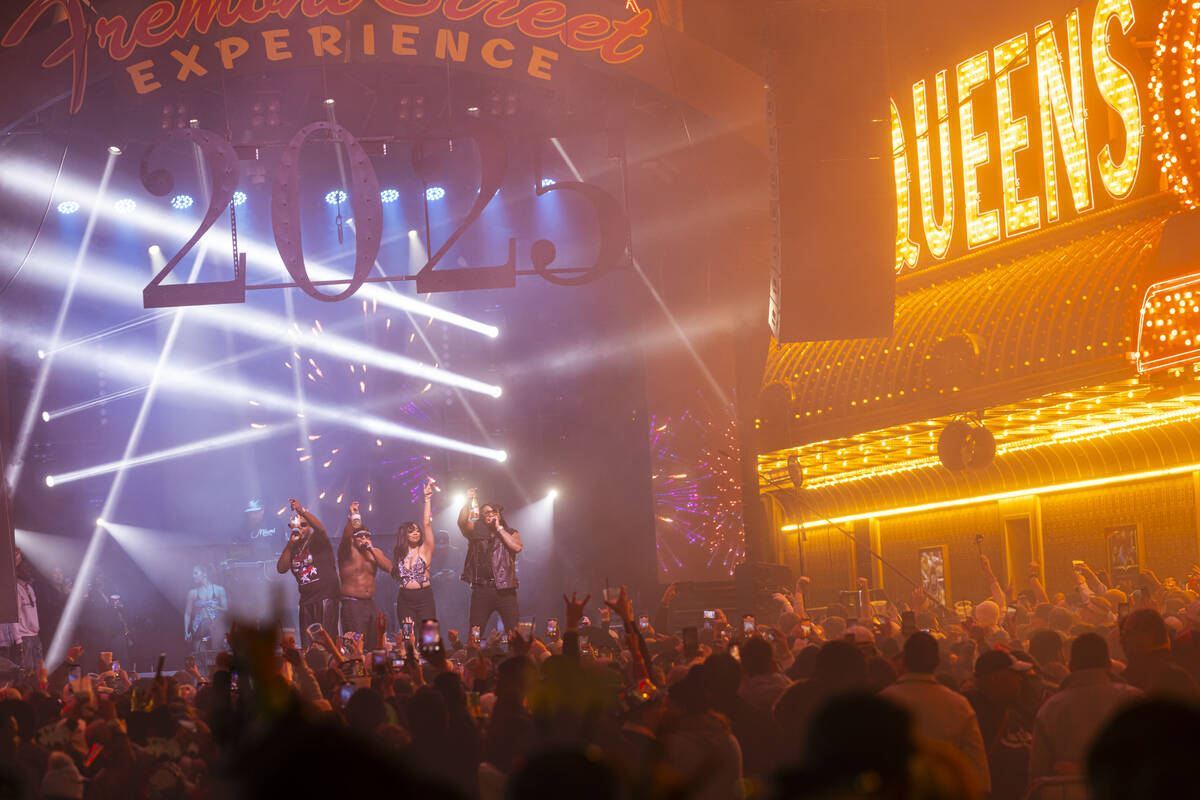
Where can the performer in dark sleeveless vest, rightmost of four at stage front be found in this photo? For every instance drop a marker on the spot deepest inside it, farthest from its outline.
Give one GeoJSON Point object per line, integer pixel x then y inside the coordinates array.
{"type": "Point", "coordinates": [491, 567]}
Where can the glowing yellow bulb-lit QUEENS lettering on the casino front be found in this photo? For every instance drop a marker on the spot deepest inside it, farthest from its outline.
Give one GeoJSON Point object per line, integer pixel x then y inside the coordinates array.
{"type": "Point", "coordinates": [988, 181]}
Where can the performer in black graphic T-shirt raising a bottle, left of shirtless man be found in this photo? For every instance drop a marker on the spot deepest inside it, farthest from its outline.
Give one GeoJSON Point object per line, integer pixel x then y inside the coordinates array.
{"type": "Point", "coordinates": [310, 556]}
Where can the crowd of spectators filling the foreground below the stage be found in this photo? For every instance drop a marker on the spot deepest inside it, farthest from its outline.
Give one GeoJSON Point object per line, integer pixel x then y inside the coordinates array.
{"type": "Point", "coordinates": [1096, 687]}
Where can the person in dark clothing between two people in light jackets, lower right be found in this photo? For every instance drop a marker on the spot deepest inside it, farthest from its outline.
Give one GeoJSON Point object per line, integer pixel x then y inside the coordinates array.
{"type": "Point", "coordinates": [1006, 727]}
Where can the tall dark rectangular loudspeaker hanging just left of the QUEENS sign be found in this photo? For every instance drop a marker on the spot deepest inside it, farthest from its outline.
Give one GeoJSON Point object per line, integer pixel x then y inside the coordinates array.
{"type": "Point", "coordinates": [831, 173]}
